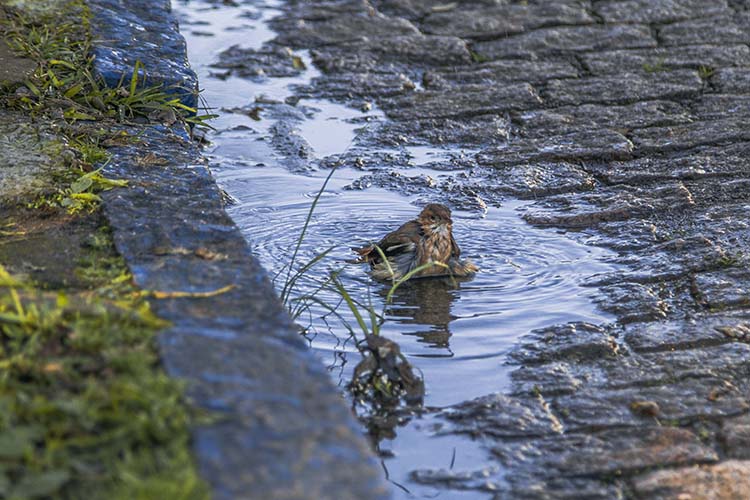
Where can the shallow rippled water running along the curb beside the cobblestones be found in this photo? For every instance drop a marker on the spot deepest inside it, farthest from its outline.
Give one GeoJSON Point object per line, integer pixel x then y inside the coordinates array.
{"type": "Point", "coordinates": [457, 334]}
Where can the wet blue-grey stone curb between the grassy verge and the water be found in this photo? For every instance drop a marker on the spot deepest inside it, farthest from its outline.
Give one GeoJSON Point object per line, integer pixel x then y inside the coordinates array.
{"type": "Point", "coordinates": [283, 430]}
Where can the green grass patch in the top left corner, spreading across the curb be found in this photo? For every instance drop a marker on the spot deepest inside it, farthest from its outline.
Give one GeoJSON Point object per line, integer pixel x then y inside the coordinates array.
{"type": "Point", "coordinates": [64, 83]}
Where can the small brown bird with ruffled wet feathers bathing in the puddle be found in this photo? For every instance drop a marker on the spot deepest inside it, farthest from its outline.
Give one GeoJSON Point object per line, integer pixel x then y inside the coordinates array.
{"type": "Point", "coordinates": [426, 240]}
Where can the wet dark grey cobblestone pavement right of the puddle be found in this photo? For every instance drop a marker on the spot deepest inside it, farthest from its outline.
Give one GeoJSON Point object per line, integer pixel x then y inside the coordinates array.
{"type": "Point", "coordinates": [626, 121]}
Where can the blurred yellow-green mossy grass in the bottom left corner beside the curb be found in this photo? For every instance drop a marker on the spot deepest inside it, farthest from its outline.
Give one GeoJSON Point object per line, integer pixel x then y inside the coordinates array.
{"type": "Point", "coordinates": [85, 409]}
